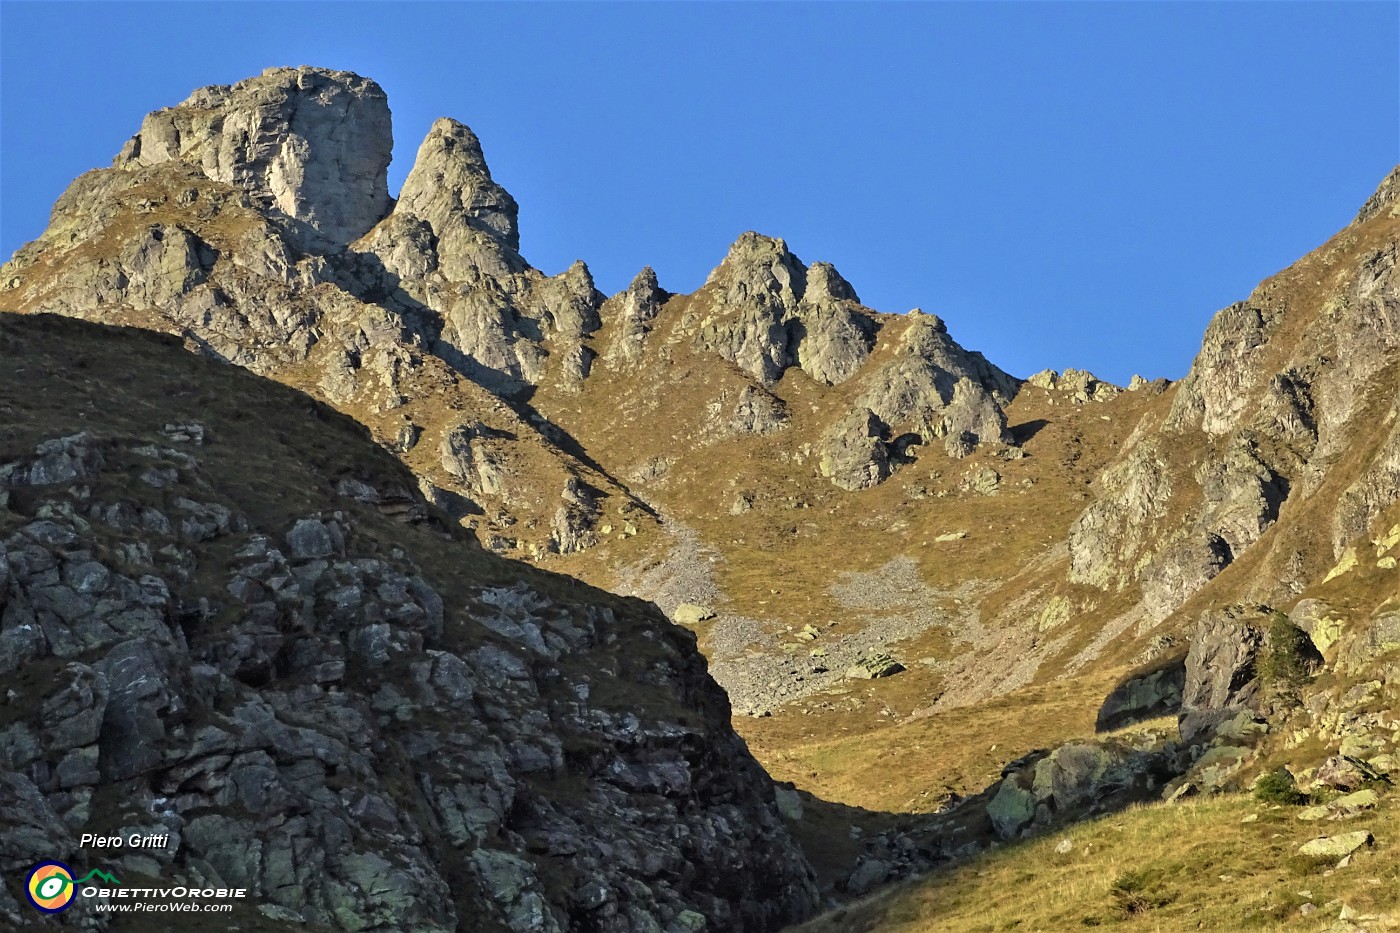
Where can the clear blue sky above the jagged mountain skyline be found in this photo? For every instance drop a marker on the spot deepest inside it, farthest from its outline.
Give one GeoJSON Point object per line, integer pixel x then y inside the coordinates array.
{"type": "Point", "coordinates": [1067, 184]}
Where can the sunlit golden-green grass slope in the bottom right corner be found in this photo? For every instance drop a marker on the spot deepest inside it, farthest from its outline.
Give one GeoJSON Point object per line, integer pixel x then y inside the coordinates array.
{"type": "Point", "coordinates": [1160, 868]}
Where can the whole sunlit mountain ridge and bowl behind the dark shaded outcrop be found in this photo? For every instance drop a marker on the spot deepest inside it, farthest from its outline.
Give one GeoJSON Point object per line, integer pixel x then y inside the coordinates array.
{"type": "Point", "coordinates": [869, 527]}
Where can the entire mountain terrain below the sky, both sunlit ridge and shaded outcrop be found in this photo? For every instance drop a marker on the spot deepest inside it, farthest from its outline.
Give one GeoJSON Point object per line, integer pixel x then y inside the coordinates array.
{"type": "Point", "coordinates": [408, 588]}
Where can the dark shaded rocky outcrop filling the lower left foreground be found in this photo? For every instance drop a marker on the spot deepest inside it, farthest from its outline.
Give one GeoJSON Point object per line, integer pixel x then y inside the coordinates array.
{"type": "Point", "coordinates": [318, 696]}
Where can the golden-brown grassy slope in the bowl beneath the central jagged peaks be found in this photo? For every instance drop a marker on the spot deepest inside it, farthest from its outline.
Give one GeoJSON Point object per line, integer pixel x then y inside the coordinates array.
{"type": "Point", "coordinates": [779, 560]}
